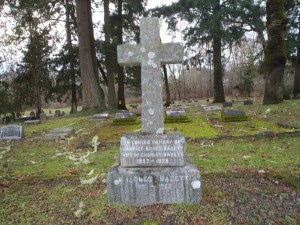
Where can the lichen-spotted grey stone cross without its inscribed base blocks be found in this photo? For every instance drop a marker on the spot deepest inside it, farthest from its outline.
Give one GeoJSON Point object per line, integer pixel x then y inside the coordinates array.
{"type": "Point", "coordinates": [150, 54]}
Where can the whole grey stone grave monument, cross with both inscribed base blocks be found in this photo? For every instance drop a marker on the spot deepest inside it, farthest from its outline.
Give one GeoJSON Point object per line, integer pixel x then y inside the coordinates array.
{"type": "Point", "coordinates": [153, 167]}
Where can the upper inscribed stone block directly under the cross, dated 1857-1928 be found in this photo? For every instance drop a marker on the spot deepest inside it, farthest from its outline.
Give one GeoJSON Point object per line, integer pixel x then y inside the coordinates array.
{"type": "Point", "coordinates": [152, 150]}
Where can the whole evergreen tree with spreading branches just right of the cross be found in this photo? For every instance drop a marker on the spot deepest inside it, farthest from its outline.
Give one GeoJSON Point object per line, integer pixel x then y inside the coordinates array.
{"type": "Point", "coordinates": [211, 22]}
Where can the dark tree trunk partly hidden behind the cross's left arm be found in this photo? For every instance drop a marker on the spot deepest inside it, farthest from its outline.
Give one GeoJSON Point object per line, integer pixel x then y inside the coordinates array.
{"type": "Point", "coordinates": [121, 75]}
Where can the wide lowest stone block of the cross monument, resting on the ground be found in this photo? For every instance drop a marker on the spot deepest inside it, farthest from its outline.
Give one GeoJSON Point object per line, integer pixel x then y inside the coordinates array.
{"type": "Point", "coordinates": [154, 185]}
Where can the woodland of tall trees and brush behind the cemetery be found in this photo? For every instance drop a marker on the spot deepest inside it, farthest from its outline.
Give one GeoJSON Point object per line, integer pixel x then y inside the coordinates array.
{"type": "Point", "coordinates": [65, 51]}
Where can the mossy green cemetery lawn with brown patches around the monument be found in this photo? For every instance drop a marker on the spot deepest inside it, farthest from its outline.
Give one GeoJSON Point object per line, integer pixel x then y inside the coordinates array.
{"type": "Point", "coordinates": [250, 171]}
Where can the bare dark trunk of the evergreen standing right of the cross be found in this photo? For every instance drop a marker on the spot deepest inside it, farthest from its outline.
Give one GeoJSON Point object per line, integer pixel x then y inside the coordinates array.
{"type": "Point", "coordinates": [217, 60]}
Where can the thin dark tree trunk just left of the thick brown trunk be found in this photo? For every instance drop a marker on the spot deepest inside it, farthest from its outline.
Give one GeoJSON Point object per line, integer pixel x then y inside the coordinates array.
{"type": "Point", "coordinates": [71, 63]}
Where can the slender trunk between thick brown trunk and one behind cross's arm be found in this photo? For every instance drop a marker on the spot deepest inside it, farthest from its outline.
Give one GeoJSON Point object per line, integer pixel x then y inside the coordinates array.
{"type": "Point", "coordinates": [109, 58]}
